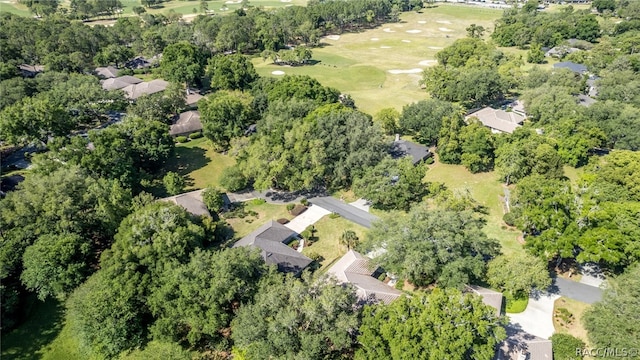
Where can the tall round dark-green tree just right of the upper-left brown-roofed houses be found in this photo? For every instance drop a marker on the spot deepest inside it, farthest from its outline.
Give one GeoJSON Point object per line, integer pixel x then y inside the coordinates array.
{"type": "Point", "coordinates": [182, 62]}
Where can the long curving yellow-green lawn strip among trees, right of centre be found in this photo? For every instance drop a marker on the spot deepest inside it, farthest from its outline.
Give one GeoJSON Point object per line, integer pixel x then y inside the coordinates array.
{"type": "Point", "coordinates": [484, 188]}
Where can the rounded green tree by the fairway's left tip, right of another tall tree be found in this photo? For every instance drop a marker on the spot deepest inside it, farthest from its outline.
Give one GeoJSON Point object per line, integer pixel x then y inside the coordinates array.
{"type": "Point", "coordinates": [231, 72]}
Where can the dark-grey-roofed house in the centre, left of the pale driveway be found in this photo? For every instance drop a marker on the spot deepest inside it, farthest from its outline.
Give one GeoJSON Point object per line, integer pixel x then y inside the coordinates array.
{"type": "Point", "coordinates": [272, 238]}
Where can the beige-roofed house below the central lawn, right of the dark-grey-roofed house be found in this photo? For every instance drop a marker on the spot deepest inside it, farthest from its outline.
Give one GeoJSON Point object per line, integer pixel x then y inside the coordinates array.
{"type": "Point", "coordinates": [355, 269]}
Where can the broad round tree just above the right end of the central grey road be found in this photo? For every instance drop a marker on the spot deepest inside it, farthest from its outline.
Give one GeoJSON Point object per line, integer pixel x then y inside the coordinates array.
{"type": "Point", "coordinates": [392, 184]}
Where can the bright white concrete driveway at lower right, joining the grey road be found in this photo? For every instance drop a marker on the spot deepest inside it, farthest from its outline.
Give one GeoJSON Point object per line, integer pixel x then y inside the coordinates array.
{"type": "Point", "coordinates": [537, 318]}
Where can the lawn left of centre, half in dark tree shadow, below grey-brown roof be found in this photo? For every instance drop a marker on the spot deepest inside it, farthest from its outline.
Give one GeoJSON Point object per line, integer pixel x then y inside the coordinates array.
{"type": "Point", "coordinates": [199, 163]}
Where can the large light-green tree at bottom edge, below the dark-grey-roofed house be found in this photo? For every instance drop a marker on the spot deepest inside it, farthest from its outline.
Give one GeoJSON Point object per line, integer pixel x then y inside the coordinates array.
{"type": "Point", "coordinates": [311, 318]}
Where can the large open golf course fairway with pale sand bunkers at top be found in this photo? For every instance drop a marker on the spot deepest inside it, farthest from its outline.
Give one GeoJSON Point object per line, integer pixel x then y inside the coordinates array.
{"type": "Point", "coordinates": [381, 67]}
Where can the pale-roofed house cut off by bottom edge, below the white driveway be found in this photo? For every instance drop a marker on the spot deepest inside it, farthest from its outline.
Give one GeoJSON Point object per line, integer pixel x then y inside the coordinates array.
{"type": "Point", "coordinates": [520, 345]}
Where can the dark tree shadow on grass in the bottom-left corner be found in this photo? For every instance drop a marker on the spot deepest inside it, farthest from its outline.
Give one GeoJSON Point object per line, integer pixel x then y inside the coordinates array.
{"type": "Point", "coordinates": [43, 323]}
